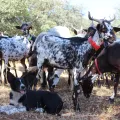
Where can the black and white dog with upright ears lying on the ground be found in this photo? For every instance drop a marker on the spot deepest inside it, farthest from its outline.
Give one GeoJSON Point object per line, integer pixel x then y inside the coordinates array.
{"type": "Point", "coordinates": [50, 102]}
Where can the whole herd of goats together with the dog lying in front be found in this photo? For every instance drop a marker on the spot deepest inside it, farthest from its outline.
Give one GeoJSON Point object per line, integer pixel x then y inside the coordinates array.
{"type": "Point", "coordinates": [54, 51]}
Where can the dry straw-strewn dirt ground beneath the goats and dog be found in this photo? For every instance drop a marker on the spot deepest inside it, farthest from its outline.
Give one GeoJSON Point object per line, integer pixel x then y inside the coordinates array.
{"type": "Point", "coordinates": [97, 107]}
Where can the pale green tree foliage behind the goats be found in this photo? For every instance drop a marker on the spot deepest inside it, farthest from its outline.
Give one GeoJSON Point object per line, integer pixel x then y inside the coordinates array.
{"type": "Point", "coordinates": [43, 14]}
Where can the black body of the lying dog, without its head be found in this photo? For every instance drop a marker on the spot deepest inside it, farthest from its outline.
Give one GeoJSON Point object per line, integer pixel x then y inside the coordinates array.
{"type": "Point", "coordinates": [49, 101]}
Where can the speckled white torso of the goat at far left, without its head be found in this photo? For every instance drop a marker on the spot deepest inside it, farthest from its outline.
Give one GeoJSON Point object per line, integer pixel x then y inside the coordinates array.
{"type": "Point", "coordinates": [14, 48]}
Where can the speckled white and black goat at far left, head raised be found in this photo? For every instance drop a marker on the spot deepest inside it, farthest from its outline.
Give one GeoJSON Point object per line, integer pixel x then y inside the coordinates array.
{"type": "Point", "coordinates": [17, 47]}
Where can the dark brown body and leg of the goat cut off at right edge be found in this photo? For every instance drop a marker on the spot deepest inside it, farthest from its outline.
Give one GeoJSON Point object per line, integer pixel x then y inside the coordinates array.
{"type": "Point", "coordinates": [109, 61]}
